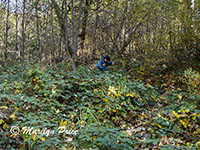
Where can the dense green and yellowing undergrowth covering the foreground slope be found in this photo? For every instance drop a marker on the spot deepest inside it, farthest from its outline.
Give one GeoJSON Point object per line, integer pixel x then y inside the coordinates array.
{"type": "Point", "coordinates": [109, 111]}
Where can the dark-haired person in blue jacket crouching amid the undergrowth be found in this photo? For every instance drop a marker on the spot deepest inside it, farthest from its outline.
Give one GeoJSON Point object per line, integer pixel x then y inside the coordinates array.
{"type": "Point", "coordinates": [104, 63]}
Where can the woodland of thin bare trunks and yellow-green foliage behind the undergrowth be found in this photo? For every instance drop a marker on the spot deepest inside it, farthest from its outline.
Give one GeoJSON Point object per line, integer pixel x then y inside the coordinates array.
{"type": "Point", "coordinates": [51, 31]}
